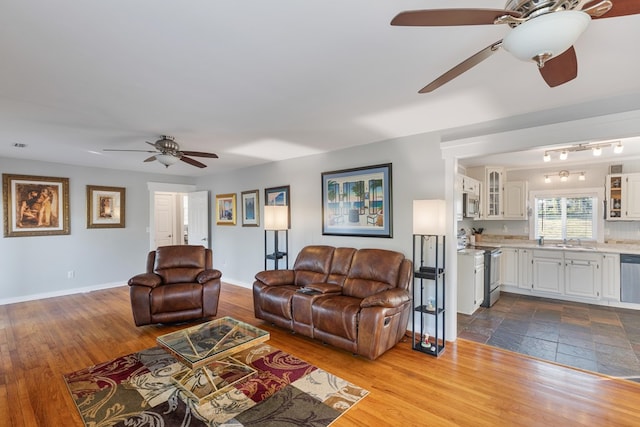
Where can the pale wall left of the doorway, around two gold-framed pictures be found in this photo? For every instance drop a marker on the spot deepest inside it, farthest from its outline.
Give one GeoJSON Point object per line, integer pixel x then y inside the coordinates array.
{"type": "Point", "coordinates": [38, 266]}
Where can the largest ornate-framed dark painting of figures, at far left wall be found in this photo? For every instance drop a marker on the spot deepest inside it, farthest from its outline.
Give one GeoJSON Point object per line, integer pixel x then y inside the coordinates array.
{"type": "Point", "coordinates": [35, 205]}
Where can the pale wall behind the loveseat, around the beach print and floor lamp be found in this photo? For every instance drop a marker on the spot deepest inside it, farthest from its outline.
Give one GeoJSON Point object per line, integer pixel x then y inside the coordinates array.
{"type": "Point", "coordinates": [417, 173]}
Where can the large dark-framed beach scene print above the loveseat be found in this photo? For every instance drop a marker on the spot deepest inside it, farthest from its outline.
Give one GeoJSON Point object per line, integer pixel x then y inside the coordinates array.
{"type": "Point", "coordinates": [357, 202]}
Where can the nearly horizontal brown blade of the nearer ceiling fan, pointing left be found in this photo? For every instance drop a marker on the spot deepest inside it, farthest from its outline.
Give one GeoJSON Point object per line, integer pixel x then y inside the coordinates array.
{"type": "Point", "coordinates": [447, 17]}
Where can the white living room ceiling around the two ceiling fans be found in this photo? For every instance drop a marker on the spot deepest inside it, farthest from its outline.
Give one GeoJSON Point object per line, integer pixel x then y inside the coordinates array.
{"type": "Point", "coordinates": [256, 81]}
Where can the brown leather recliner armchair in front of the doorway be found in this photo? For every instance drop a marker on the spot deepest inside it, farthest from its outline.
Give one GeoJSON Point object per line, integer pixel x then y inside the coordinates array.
{"type": "Point", "coordinates": [179, 285]}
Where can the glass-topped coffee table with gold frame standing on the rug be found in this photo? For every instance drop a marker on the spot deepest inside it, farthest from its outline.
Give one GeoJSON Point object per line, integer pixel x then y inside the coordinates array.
{"type": "Point", "coordinates": [205, 350]}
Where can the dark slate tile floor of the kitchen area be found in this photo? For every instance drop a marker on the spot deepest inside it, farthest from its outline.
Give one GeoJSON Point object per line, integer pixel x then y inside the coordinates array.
{"type": "Point", "coordinates": [591, 337]}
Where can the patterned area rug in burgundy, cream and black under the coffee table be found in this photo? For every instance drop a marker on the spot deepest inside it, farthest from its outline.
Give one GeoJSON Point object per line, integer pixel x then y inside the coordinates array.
{"type": "Point", "coordinates": [136, 390]}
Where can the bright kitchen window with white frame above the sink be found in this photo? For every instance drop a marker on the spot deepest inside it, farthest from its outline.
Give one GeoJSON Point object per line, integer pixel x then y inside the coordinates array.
{"type": "Point", "coordinates": [566, 215]}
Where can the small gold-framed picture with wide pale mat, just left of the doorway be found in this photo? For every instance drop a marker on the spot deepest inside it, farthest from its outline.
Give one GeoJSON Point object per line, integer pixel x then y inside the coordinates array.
{"type": "Point", "coordinates": [105, 207]}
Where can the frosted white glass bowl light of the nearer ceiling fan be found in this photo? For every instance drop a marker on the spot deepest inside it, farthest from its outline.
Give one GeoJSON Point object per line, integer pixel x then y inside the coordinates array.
{"type": "Point", "coordinates": [546, 36]}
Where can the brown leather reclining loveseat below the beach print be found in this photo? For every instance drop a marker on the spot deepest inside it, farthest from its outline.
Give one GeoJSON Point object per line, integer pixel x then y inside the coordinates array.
{"type": "Point", "coordinates": [357, 300]}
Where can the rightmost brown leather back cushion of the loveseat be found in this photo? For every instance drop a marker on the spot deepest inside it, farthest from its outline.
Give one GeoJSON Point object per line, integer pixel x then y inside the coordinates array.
{"type": "Point", "coordinates": [372, 271]}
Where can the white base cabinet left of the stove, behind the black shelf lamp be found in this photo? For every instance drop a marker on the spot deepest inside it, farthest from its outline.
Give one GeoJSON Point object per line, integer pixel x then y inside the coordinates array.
{"type": "Point", "coordinates": [470, 280]}
